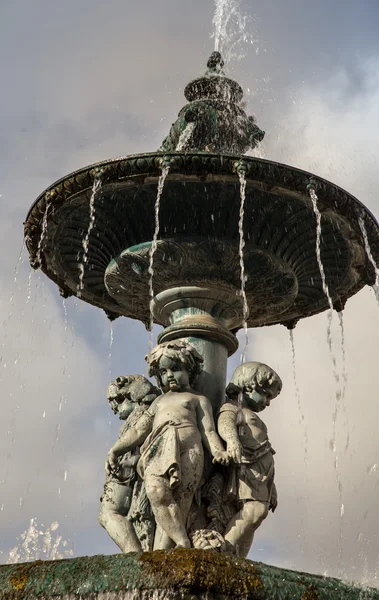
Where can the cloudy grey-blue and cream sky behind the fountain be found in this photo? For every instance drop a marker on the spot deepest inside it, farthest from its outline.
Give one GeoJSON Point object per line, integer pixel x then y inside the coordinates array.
{"type": "Point", "coordinates": [86, 81]}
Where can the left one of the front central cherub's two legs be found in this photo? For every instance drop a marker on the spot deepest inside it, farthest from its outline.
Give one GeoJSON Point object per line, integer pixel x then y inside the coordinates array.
{"type": "Point", "coordinates": [166, 510]}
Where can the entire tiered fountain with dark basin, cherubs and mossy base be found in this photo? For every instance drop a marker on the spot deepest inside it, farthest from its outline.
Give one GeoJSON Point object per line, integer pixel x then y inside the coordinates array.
{"type": "Point", "coordinates": [203, 240]}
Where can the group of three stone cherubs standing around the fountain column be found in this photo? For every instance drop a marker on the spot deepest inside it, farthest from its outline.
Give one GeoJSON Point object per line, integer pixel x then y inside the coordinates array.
{"type": "Point", "coordinates": [155, 470]}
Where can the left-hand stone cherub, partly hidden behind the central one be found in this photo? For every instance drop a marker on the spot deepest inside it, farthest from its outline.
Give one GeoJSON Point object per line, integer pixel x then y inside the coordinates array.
{"type": "Point", "coordinates": [129, 397]}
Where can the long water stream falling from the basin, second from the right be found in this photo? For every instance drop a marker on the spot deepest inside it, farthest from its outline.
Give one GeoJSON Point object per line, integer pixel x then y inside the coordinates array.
{"type": "Point", "coordinates": [333, 442]}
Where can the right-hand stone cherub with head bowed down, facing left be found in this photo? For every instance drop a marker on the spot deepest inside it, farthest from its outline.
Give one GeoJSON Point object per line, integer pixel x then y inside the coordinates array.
{"type": "Point", "coordinates": [250, 482]}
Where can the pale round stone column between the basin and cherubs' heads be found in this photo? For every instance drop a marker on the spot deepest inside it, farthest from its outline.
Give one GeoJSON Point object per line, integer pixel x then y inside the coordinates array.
{"type": "Point", "coordinates": [203, 316]}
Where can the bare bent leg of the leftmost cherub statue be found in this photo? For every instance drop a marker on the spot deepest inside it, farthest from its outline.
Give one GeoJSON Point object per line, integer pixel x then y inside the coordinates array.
{"type": "Point", "coordinates": [113, 510]}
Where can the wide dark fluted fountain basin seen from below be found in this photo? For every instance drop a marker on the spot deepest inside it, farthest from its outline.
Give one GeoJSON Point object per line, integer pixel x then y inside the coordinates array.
{"type": "Point", "coordinates": [200, 205]}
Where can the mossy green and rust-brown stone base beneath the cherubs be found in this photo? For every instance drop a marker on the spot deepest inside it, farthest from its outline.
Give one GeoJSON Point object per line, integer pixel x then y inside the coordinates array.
{"type": "Point", "coordinates": [172, 575]}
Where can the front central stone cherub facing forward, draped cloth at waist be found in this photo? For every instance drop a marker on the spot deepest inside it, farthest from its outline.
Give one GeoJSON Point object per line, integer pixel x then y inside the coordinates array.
{"type": "Point", "coordinates": [172, 431]}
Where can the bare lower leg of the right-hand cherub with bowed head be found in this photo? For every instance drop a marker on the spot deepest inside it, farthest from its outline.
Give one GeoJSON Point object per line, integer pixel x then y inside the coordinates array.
{"type": "Point", "coordinates": [240, 530]}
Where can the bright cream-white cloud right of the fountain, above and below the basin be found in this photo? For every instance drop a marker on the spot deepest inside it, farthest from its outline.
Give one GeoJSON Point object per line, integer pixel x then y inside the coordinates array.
{"type": "Point", "coordinates": [332, 133]}
